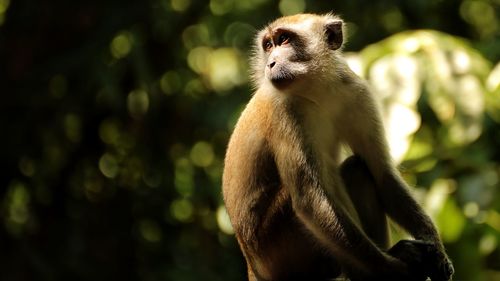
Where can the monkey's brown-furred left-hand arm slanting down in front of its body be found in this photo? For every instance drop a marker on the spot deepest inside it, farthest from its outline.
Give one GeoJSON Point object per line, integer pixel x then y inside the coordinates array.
{"type": "Point", "coordinates": [330, 223]}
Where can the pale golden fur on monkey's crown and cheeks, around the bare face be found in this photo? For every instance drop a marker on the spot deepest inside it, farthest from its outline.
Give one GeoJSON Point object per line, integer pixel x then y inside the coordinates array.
{"type": "Point", "coordinates": [311, 29]}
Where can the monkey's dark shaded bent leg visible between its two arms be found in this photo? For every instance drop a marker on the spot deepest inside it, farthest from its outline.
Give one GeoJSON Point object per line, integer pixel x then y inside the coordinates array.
{"type": "Point", "coordinates": [360, 185]}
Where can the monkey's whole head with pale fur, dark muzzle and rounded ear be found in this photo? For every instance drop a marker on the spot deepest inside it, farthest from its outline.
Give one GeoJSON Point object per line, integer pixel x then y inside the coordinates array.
{"type": "Point", "coordinates": [297, 49]}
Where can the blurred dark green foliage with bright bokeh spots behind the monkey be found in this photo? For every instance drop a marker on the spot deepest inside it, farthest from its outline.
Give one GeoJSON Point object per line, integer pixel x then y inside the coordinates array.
{"type": "Point", "coordinates": [115, 116]}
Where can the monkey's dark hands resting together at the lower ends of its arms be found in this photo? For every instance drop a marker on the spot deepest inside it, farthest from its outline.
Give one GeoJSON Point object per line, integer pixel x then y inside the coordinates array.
{"type": "Point", "coordinates": [423, 258]}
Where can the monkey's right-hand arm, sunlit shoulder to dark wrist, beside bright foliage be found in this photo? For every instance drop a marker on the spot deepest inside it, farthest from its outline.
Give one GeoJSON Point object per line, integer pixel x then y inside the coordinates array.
{"type": "Point", "coordinates": [367, 139]}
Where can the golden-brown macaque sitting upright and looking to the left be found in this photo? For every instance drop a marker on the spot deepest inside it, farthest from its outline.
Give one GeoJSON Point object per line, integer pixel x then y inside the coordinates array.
{"type": "Point", "coordinates": [298, 211]}
